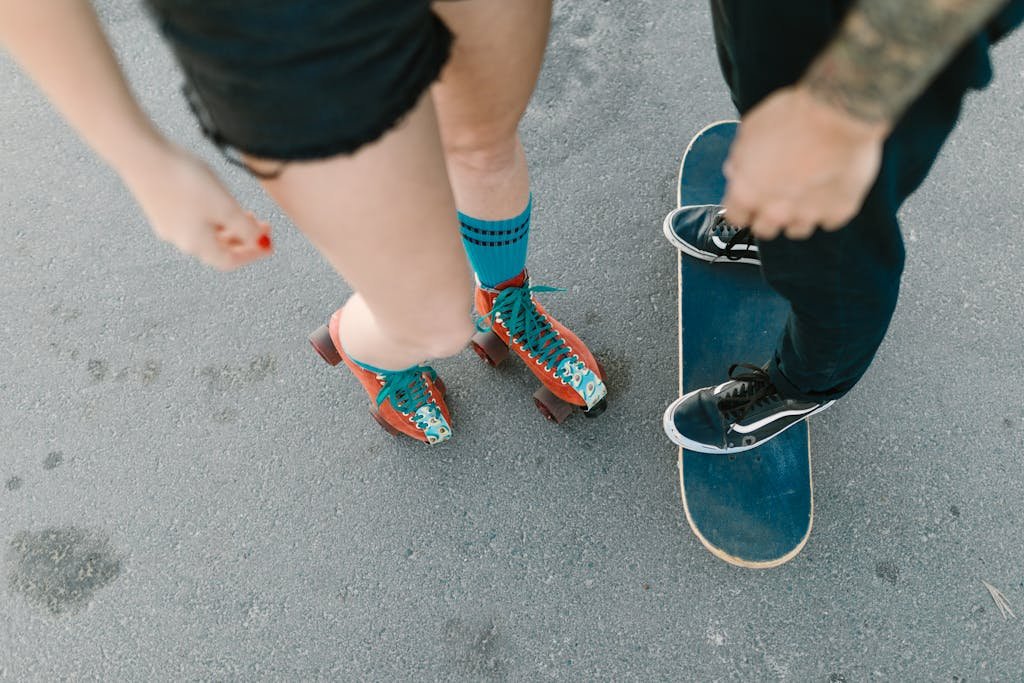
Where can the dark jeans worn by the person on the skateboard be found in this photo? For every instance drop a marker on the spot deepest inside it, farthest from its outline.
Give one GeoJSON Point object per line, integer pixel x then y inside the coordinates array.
{"type": "Point", "coordinates": [842, 286]}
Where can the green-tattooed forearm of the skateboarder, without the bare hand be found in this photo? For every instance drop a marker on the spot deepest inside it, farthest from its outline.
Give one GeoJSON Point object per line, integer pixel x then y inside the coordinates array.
{"type": "Point", "coordinates": [888, 52]}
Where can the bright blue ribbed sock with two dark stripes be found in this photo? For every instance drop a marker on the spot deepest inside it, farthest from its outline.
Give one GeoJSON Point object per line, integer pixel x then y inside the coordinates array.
{"type": "Point", "coordinates": [497, 249]}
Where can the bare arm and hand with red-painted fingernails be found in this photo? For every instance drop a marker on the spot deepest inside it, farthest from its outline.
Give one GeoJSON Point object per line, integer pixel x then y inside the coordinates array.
{"type": "Point", "coordinates": [63, 49]}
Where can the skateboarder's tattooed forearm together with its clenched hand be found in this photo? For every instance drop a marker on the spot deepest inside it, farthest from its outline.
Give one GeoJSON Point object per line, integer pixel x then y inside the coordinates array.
{"type": "Point", "coordinates": [807, 156]}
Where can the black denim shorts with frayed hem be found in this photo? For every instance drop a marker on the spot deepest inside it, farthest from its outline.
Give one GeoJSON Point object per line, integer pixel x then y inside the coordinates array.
{"type": "Point", "coordinates": [303, 79]}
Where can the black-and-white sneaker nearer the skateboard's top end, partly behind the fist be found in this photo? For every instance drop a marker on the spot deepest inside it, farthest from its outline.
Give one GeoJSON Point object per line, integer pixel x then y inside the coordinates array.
{"type": "Point", "coordinates": [704, 233]}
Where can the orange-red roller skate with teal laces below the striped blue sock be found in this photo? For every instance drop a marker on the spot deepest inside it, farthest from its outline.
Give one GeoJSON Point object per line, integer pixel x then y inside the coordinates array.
{"type": "Point", "coordinates": [570, 375]}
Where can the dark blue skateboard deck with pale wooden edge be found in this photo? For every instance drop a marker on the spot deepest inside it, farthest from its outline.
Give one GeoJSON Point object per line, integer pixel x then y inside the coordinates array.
{"type": "Point", "coordinates": [752, 509]}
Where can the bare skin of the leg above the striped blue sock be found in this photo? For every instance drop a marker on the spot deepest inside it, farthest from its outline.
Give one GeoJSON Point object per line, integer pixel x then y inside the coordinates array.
{"type": "Point", "coordinates": [483, 95]}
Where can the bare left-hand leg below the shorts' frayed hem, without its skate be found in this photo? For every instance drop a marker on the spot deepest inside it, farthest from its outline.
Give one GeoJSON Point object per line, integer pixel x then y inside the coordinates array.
{"type": "Point", "coordinates": [385, 219]}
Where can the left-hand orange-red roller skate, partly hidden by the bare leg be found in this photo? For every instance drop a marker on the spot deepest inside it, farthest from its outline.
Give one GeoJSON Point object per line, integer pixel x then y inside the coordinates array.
{"type": "Point", "coordinates": [408, 402]}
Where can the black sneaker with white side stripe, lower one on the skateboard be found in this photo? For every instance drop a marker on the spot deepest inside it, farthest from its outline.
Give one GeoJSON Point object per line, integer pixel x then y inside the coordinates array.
{"type": "Point", "coordinates": [739, 415]}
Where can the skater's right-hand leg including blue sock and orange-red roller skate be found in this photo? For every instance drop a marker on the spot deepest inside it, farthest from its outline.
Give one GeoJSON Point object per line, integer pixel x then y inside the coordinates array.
{"type": "Point", "coordinates": [482, 97]}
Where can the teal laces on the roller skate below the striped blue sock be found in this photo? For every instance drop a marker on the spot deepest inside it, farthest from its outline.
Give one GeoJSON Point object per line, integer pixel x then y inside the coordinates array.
{"type": "Point", "coordinates": [526, 325]}
